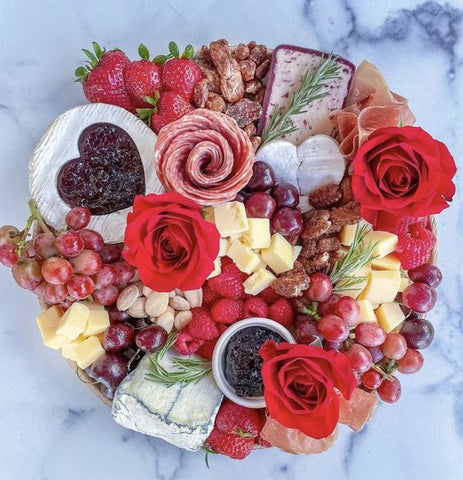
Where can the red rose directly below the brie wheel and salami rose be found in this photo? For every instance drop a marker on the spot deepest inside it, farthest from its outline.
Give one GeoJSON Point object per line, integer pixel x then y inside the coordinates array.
{"type": "Point", "coordinates": [169, 242]}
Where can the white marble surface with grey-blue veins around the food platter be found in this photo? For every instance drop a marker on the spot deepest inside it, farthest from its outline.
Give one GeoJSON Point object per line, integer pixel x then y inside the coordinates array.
{"type": "Point", "coordinates": [51, 426]}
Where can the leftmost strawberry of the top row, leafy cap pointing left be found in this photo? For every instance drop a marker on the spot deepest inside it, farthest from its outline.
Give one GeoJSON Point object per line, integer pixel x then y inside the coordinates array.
{"type": "Point", "coordinates": [103, 79]}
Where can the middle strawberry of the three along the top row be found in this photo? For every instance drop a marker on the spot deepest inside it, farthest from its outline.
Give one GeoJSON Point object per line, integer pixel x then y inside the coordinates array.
{"type": "Point", "coordinates": [142, 78]}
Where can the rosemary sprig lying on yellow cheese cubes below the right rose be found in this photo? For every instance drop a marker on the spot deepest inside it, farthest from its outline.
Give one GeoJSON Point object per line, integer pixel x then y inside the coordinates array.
{"type": "Point", "coordinates": [356, 257]}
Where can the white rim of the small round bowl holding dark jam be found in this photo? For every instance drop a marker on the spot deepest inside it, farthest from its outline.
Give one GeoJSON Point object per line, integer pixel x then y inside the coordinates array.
{"type": "Point", "coordinates": [219, 353]}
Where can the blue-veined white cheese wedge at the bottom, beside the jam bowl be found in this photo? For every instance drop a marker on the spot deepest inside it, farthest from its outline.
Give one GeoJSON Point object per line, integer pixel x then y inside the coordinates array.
{"type": "Point", "coordinates": [182, 415]}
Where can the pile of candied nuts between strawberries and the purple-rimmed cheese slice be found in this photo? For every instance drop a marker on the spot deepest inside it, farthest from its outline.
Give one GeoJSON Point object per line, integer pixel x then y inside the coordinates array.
{"type": "Point", "coordinates": [233, 82]}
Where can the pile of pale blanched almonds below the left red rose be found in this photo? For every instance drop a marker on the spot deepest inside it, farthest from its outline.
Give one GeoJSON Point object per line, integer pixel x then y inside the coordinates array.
{"type": "Point", "coordinates": [166, 309]}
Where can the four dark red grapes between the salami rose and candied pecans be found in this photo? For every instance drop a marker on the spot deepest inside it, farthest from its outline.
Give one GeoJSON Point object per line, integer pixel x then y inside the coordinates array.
{"type": "Point", "coordinates": [264, 198]}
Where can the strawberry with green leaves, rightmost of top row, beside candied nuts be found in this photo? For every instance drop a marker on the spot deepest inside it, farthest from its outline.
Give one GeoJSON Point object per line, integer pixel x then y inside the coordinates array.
{"type": "Point", "coordinates": [180, 74]}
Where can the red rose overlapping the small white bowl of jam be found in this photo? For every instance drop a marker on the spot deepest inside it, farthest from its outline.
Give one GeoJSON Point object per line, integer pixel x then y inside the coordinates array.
{"type": "Point", "coordinates": [299, 386]}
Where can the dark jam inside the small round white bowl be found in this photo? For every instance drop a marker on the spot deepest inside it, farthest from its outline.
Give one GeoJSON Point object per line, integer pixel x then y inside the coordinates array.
{"type": "Point", "coordinates": [243, 362]}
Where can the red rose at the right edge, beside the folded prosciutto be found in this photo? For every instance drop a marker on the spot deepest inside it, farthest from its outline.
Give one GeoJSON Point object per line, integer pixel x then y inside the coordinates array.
{"type": "Point", "coordinates": [402, 172]}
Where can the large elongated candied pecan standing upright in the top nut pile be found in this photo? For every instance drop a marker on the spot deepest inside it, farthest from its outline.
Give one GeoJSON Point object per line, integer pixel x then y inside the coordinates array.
{"type": "Point", "coordinates": [231, 82]}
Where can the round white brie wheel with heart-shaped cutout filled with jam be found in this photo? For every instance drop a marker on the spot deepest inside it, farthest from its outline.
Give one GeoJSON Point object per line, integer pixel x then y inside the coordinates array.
{"type": "Point", "coordinates": [61, 144]}
